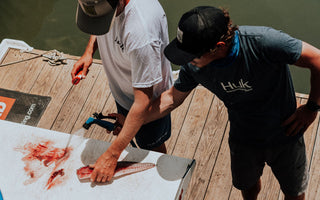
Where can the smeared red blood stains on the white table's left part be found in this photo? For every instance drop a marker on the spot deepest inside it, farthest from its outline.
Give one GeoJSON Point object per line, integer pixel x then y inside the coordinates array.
{"type": "Point", "coordinates": [42, 159]}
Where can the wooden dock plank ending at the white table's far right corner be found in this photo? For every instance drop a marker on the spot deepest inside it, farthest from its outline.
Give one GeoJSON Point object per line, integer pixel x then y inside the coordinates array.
{"type": "Point", "coordinates": [193, 124]}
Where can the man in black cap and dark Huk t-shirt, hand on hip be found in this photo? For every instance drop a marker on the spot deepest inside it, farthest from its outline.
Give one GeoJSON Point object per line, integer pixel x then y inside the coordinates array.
{"type": "Point", "coordinates": [247, 68]}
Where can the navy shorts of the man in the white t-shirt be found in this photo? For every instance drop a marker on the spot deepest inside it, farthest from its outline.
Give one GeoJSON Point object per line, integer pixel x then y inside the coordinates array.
{"type": "Point", "coordinates": [153, 134]}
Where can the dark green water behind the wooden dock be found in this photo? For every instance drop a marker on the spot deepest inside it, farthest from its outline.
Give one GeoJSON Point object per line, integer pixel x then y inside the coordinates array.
{"type": "Point", "coordinates": [50, 24]}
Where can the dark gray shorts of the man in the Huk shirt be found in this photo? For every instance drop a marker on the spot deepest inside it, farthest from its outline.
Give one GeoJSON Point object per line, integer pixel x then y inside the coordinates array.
{"type": "Point", "coordinates": [288, 163]}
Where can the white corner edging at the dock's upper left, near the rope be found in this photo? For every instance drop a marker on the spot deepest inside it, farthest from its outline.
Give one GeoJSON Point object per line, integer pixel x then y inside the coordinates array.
{"type": "Point", "coordinates": [10, 43]}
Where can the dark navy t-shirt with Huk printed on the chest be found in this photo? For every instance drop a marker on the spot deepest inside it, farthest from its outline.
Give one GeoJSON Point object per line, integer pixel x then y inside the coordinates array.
{"type": "Point", "coordinates": [254, 83]}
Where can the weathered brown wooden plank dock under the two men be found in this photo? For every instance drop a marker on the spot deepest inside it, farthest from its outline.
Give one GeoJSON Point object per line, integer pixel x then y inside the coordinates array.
{"type": "Point", "coordinates": [200, 125]}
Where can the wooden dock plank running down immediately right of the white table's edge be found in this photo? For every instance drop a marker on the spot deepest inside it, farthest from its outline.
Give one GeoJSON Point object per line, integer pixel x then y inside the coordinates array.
{"type": "Point", "coordinates": [208, 148]}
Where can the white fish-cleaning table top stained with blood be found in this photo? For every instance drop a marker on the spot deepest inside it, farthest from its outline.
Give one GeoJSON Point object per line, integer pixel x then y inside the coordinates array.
{"type": "Point", "coordinates": [160, 182]}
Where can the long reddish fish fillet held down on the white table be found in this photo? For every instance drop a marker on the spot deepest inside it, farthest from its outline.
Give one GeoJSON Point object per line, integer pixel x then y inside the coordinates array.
{"type": "Point", "coordinates": [123, 168]}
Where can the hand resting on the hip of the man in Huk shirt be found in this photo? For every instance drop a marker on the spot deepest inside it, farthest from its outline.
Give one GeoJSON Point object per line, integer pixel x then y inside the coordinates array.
{"type": "Point", "coordinates": [300, 120]}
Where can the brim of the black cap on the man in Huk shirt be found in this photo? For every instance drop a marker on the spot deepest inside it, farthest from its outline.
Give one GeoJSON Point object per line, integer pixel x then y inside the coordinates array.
{"type": "Point", "coordinates": [176, 55]}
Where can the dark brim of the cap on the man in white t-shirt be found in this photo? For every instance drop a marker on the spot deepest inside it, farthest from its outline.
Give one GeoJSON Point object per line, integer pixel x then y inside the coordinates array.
{"type": "Point", "coordinates": [93, 25]}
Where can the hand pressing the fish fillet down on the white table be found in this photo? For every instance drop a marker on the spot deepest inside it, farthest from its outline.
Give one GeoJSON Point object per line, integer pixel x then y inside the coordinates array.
{"type": "Point", "coordinates": [104, 168]}
